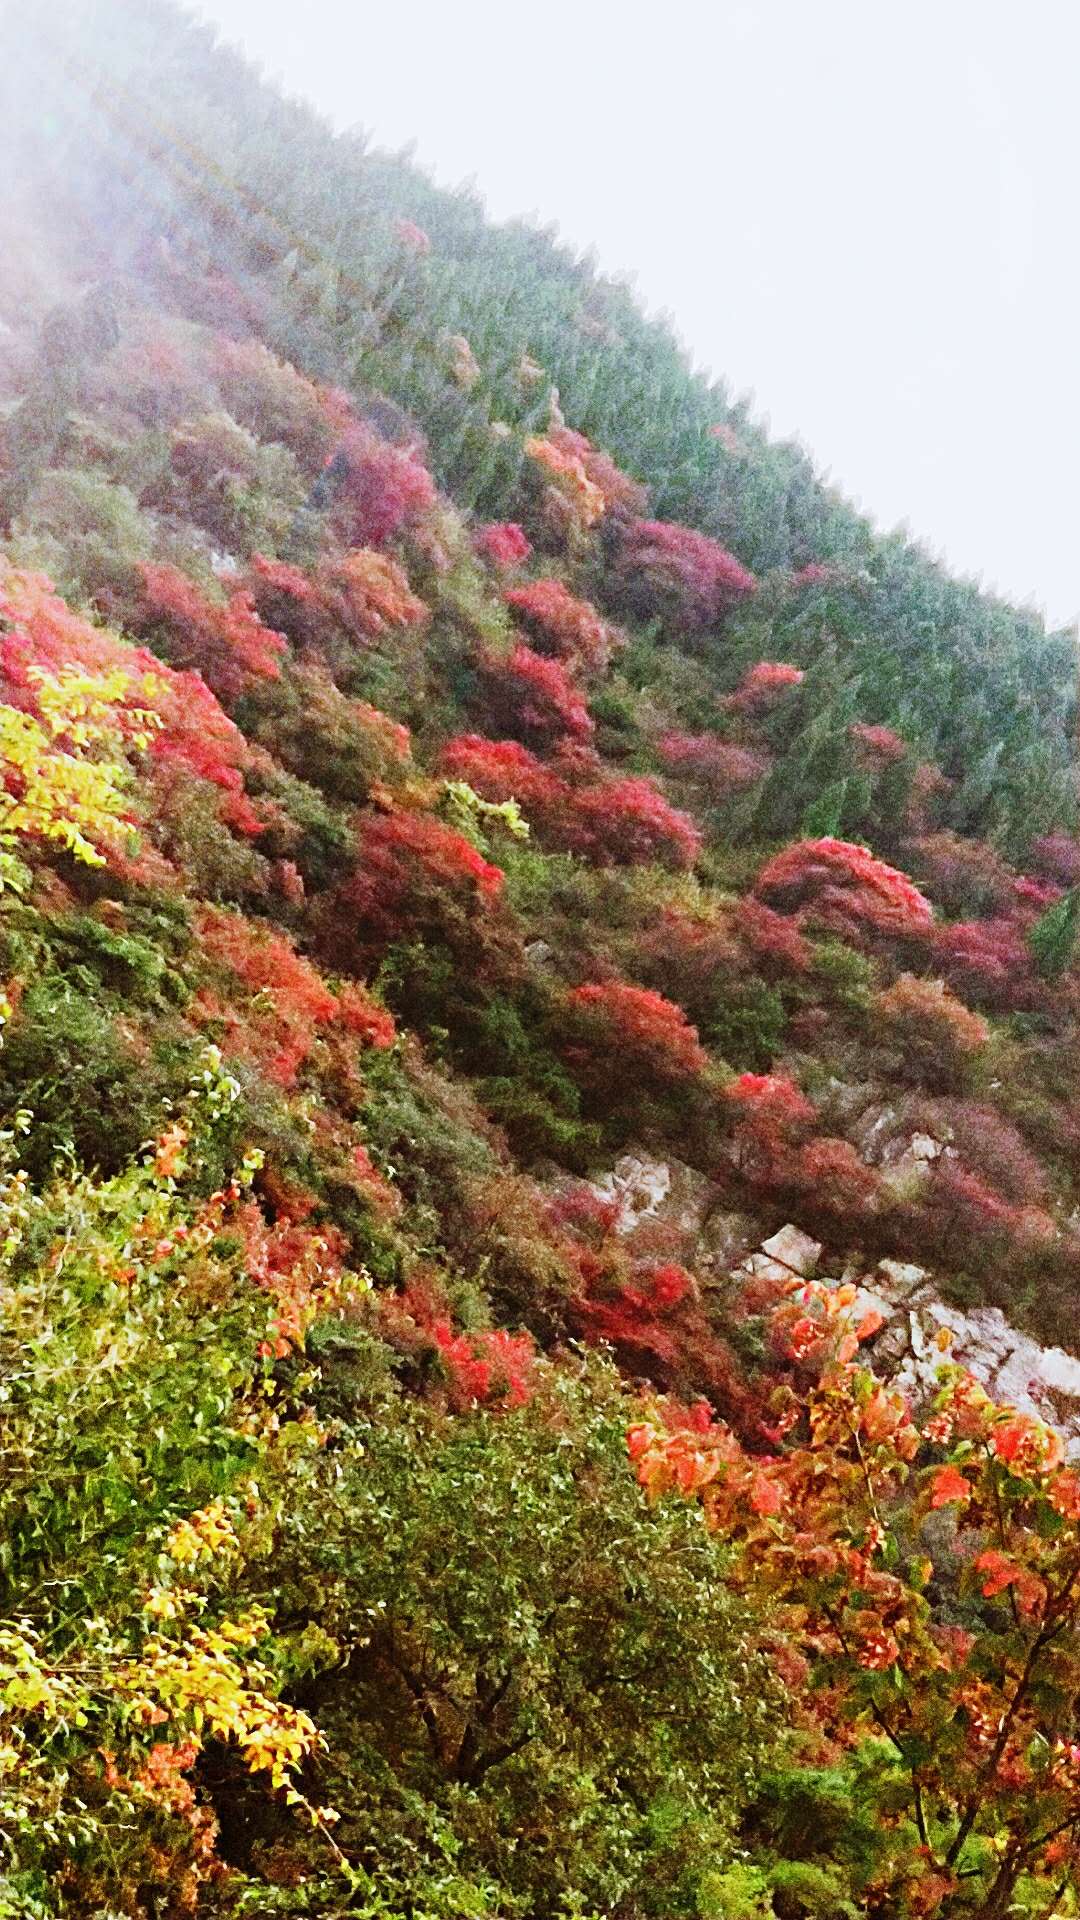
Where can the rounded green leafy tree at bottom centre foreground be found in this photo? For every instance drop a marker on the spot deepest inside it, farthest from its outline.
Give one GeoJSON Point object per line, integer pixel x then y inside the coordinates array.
{"type": "Point", "coordinates": [518, 1668]}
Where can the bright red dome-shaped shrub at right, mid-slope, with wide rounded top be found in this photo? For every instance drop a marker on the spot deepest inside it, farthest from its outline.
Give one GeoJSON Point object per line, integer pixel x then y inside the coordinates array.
{"type": "Point", "coordinates": [845, 888]}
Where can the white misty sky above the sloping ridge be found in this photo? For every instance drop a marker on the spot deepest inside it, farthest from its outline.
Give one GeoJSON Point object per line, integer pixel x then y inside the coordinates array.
{"type": "Point", "coordinates": [864, 214]}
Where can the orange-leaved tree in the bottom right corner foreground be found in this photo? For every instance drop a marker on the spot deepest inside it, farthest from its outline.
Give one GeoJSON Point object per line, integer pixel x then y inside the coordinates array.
{"type": "Point", "coordinates": [927, 1575]}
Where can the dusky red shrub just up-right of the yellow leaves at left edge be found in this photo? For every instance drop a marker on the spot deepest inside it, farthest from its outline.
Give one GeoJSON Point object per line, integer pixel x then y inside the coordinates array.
{"type": "Point", "coordinates": [230, 646]}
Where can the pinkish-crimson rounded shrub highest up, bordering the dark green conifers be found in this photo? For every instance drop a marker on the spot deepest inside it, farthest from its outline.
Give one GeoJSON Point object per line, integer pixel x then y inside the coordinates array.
{"type": "Point", "coordinates": [679, 575]}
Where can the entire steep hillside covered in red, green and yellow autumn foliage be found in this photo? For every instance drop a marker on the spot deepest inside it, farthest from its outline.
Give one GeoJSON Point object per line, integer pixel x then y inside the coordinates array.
{"type": "Point", "coordinates": [539, 1076]}
